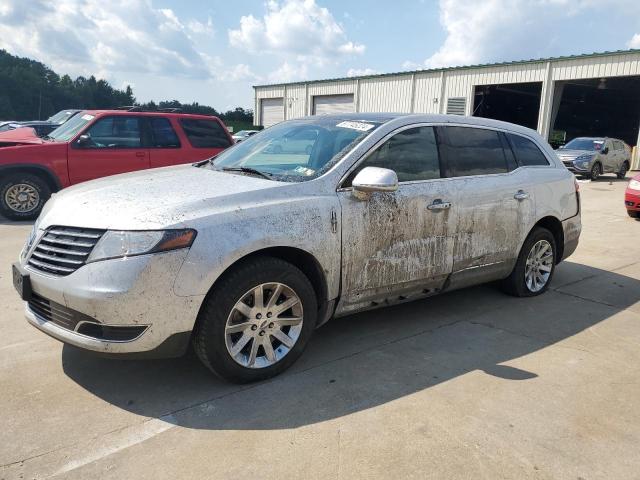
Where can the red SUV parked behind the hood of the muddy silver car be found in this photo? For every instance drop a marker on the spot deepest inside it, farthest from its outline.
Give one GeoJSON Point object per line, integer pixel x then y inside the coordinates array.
{"type": "Point", "coordinates": [98, 143]}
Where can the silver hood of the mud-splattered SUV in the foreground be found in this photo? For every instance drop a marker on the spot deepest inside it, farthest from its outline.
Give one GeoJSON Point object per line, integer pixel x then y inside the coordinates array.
{"type": "Point", "coordinates": [158, 198]}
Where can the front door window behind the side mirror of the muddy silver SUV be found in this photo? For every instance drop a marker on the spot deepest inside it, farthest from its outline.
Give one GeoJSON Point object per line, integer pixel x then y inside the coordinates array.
{"type": "Point", "coordinates": [412, 154]}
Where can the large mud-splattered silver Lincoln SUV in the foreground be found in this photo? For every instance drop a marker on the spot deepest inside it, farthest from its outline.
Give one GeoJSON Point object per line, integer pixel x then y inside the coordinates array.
{"type": "Point", "coordinates": [246, 254]}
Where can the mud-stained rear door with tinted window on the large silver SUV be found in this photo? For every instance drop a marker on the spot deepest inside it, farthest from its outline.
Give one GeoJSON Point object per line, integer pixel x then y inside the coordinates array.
{"type": "Point", "coordinates": [495, 202]}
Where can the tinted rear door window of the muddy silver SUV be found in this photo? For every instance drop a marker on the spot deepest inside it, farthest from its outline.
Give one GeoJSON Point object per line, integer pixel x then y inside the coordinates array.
{"type": "Point", "coordinates": [472, 151]}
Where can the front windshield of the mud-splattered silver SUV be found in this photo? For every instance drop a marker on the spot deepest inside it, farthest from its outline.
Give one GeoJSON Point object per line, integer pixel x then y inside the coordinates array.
{"type": "Point", "coordinates": [296, 150]}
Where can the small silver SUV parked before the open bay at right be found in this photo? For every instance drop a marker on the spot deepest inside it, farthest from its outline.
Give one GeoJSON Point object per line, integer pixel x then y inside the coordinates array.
{"type": "Point", "coordinates": [591, 157]}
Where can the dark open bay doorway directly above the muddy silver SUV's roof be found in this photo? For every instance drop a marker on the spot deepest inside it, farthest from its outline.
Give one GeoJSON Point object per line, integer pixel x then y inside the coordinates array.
{"type": "Point", "coordinates": [510, 102]}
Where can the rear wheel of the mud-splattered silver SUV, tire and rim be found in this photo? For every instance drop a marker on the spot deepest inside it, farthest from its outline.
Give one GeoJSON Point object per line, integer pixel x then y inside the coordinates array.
{"type": "Point", "coordinates": [535, 265]}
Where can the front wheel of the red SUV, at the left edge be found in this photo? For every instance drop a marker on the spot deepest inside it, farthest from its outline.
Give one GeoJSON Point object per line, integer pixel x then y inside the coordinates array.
{"type": "Point", "coordinates": [22, 196]}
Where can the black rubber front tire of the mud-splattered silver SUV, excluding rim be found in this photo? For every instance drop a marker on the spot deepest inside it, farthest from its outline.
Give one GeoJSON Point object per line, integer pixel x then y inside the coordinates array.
{"type": "Point", "coordinates": [209, 335]}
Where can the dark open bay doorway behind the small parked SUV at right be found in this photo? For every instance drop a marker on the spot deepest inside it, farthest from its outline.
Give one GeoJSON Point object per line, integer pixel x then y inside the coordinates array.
{"type": "Point", "coordinates": [598, 107]}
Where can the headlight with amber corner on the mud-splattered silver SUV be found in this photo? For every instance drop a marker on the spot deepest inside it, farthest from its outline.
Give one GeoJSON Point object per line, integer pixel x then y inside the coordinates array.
{"type": "Point", "coordinates": [118, 244]}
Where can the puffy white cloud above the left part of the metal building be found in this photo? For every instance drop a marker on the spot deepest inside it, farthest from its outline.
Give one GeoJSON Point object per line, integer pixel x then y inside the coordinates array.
{"type": "Point", "coordinates": [298, 28]}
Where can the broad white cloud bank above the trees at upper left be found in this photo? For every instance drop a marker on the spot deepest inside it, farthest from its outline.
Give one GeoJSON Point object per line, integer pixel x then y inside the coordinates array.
{"type": "Point", "coordinates": [82, 37]}
